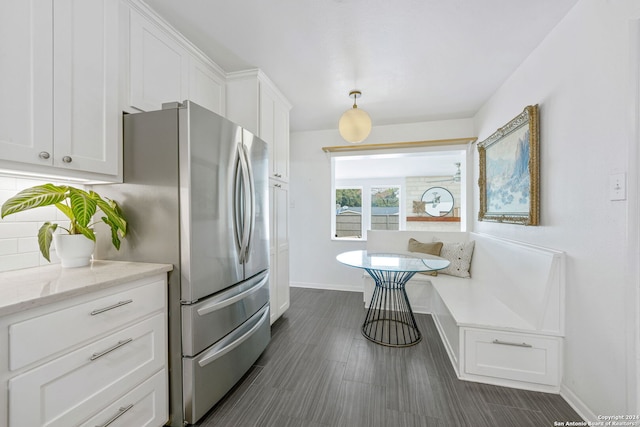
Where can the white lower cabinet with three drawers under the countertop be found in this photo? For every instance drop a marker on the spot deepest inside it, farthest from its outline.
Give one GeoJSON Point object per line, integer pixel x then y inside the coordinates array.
{"type": "Point", "coordinates": [115, 376]}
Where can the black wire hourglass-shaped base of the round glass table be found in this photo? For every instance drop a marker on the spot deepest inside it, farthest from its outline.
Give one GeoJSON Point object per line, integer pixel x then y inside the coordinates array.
{"type": "Point", "coordinates": [390, 320]}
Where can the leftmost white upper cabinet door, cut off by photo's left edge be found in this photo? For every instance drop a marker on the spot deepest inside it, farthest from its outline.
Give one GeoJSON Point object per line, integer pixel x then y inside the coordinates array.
{"type": "Point", "coordinates": [26, 86]}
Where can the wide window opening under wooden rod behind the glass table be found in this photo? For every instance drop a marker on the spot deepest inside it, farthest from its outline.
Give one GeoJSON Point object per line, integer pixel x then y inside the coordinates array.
{"type": "Point", "coordinates": [387, 191]}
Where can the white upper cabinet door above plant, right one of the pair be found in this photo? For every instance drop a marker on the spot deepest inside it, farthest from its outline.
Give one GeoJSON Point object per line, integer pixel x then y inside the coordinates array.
{"type": "Point", "coordinates": [85, 69]}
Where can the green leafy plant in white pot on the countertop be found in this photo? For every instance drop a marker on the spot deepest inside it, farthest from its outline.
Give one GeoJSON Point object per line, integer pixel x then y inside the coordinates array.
{"type": "Point", "coordinates": [79, 206]}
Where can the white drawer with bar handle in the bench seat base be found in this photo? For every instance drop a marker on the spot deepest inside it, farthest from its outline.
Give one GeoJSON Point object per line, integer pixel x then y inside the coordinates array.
{"type": "Point", "coordinates": [513, 356]}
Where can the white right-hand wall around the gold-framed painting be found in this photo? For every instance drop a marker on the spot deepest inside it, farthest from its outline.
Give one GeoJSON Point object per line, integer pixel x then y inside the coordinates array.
{"type": "Point", "coordinates": [580, 78]}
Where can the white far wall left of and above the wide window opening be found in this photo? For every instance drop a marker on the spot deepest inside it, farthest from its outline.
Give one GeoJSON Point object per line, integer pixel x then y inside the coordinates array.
{"type": "Point", "coordinates": [313, 253]}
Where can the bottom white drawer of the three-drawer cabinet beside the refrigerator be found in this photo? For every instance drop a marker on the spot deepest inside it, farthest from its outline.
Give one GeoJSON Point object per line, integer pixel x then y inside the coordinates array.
{"type": "Point", "coordinates": [145, 405]}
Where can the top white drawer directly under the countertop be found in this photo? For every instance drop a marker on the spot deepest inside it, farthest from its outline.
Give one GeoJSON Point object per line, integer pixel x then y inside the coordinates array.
{"type": "Point", "coordinates": [36, 338]}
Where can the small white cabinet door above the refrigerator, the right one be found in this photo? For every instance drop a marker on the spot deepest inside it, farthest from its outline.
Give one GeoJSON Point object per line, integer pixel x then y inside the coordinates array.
{"type": "Point", "coordinates": [206, 88]}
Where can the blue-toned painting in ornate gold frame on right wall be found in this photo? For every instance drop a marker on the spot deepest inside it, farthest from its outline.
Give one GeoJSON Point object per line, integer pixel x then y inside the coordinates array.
{"type": "Point", "coordinates": [510, 172]}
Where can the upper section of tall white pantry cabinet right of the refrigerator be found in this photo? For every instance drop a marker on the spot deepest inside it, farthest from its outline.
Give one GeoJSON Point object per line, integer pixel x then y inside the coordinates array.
{"type": "Point", "coordinates": [256, 104]}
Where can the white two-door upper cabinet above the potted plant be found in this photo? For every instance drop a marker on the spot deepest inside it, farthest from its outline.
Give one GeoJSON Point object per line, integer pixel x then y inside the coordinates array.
{"type": "Point", "coordinates": [58, 93]}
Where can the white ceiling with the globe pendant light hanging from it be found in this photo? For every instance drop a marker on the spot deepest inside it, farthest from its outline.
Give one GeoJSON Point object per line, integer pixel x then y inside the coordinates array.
{"type": "Point", "coordinates": [413, 60]}
